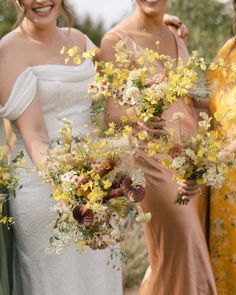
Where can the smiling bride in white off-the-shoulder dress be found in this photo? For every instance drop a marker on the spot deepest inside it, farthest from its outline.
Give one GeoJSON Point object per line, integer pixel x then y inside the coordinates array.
{"type": "Point", "coordinates": [37, 89]}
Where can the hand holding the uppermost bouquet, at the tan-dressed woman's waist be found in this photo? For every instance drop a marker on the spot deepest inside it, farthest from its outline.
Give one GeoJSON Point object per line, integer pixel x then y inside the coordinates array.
{"type": "Point", "coordinates": [154, 126]}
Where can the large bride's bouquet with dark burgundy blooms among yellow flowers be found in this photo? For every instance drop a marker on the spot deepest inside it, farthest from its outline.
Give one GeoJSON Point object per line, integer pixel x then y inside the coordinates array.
{"type": "Point", "coordinates": [94, 196]}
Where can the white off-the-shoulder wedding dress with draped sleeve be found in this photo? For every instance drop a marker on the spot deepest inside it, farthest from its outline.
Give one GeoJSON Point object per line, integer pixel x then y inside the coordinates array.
{"type": "Point", "coordinates": [63, 93]}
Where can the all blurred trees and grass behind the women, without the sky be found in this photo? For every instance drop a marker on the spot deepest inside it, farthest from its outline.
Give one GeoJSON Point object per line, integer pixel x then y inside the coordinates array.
{"type": "Point", "coordinates": [209, 23]}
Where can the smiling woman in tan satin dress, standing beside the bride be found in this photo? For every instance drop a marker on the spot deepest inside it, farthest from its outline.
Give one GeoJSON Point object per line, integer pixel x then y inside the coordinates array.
{"type": "Point", "coordinates": [179, 259]}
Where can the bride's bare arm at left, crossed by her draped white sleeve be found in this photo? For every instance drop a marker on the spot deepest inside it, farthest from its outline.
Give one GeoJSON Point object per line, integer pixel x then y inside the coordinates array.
{"type": "Point", "coordinates": [31, 122]}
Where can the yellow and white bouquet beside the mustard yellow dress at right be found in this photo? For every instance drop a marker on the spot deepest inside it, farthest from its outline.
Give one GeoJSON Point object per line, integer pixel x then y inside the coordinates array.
{"type": "Point", "coordinates": [198, 158]}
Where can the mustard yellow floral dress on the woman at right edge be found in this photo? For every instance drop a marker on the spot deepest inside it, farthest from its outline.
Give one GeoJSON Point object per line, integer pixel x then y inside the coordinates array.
{"type": "Point", "coordinates": [223, 200]}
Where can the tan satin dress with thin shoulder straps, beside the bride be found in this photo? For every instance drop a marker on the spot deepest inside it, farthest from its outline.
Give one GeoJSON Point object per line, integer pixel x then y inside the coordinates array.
{"type": "Point", "coordinates": [177, 248]}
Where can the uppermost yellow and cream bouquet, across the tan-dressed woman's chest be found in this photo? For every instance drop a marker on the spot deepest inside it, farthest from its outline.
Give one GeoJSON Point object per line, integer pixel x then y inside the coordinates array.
{"type": "Point", "coordinates": [132, 81]}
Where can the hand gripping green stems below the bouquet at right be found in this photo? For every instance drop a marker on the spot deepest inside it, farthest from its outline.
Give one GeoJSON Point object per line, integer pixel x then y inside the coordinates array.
{"type": "Point", "coordinates": [189, 189]}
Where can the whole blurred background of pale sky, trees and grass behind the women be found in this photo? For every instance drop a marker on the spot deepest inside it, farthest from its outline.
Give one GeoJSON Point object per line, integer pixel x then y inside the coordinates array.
{"type": "Point", "coordinates": [209, 23]}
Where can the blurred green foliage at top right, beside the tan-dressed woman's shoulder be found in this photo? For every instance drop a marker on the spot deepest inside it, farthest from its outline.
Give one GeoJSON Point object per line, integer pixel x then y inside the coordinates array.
{"type": "Point", "coordinates": [208, 22]}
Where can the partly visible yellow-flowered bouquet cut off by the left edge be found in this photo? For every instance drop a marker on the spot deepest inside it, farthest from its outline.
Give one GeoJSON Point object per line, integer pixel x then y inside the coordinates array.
{"type": "Point", "coordinates": [9, 180]}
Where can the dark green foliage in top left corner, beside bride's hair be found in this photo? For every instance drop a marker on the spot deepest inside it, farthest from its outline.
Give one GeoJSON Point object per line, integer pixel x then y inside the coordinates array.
{"type": "Point", "coordinates": [8, 16]}
